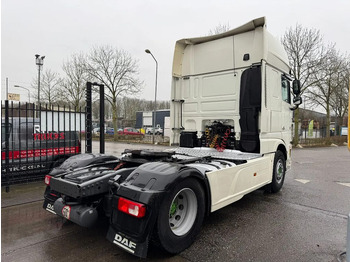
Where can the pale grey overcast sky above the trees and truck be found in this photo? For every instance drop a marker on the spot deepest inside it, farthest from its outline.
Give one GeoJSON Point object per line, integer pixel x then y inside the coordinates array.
{"type": "Point", "coordinates": [58, 29]}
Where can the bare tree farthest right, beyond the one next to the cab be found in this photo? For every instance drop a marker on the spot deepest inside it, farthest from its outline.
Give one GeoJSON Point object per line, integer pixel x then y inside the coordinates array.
{"type": "Point", "coordinates": [327, 80]}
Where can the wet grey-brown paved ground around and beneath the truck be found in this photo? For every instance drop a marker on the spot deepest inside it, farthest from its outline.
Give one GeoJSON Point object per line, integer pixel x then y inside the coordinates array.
{"type": "Point", "coordinates": [306, 221]}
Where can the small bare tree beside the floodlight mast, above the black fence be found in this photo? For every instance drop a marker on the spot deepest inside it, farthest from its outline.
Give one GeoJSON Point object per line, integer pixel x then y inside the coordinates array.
{"type": "Point", "coordinates": [50, 83]}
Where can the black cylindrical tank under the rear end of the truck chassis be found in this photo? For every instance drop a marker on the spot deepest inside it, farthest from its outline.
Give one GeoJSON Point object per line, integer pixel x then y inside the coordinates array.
{"type": "Point", "coordinates": [82, 215]}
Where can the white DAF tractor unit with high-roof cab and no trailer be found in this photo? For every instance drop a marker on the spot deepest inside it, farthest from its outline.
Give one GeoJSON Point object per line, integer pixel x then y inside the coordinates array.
{"type": "Point", "coordinates": [231, 118]}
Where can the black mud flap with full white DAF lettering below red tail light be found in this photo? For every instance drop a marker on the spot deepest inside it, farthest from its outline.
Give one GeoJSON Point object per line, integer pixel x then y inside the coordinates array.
{"type": "Point", "coordinates": [133, 247]}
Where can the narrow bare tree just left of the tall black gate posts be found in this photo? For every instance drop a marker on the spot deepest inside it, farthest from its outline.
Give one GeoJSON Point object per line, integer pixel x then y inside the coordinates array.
{"type": "Point", "coordinates": [74, 84]}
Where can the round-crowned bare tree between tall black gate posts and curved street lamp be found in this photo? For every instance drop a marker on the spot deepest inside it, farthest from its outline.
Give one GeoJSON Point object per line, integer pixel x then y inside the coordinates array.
{"type": "Point", "coordinates": [116, 70]}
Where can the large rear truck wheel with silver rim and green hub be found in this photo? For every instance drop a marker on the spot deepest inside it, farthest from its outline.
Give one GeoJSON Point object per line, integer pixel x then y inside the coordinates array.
{"type": "Point", "coordinates": [180, 216]}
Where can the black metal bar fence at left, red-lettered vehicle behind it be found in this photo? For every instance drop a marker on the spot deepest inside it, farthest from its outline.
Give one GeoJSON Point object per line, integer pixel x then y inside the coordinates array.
{"type": "Point", "coordinates": [34, 139]}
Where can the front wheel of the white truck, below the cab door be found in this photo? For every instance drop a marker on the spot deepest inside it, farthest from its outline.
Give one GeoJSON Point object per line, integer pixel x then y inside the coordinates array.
{"type": "Point", "coordinates": [279, 172]}
